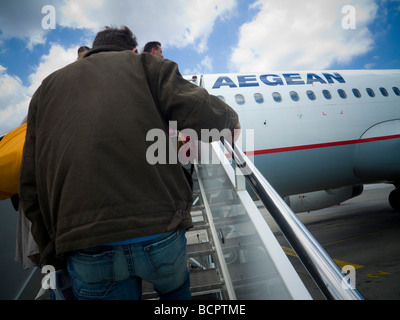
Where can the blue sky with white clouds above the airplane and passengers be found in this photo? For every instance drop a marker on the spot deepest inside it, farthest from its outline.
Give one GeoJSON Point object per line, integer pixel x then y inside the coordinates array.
{"type": "Point", "coordinates": [38, 37]}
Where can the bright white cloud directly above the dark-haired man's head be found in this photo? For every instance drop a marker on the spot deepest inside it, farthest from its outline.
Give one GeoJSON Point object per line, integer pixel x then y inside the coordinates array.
{"type": "Point", "coordinates": [177, 23]}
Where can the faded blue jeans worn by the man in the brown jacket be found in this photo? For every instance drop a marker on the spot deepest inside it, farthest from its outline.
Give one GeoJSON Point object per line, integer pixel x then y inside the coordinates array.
{"type": "Point", "coordinates": [116, 272]}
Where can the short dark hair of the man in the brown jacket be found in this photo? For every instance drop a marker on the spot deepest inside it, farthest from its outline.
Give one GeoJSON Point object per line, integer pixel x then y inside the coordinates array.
{"type": "Point", "coordinates": [112, 36]}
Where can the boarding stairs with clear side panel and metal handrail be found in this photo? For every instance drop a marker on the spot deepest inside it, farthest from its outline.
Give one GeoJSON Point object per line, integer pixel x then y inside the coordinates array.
{"type": "Point", "coordinates": [233, 253]}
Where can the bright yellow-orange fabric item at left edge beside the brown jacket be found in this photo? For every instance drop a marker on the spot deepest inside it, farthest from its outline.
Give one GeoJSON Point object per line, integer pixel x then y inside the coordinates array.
{"type": "Point", "coordinates": [11, 147]}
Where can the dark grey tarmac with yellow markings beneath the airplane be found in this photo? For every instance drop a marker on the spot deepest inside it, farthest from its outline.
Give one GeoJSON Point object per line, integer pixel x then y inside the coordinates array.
{"type": "Point", "coordinates": [363, 233]}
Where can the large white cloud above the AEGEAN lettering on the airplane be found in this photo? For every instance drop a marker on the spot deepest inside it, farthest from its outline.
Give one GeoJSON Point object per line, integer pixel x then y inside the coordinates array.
{"type": "Point", "coordinates": [298, 35]}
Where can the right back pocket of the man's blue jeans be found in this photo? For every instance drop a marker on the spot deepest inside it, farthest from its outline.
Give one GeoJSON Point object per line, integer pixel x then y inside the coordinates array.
{"type": "Point", "coordinates": [168, 256]}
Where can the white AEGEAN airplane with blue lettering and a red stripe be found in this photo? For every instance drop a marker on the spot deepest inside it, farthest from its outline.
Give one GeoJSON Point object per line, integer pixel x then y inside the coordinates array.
{"type": "Point", "coordinates": [319, 136]}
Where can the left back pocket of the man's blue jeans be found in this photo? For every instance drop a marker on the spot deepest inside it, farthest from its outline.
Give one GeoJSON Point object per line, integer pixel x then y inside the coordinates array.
{"type": "Point", "coordinates": [91, 272]}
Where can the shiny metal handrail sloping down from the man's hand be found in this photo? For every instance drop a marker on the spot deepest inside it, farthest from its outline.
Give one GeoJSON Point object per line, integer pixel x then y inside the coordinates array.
{"type": "Point", "coordinates": [326, 274]}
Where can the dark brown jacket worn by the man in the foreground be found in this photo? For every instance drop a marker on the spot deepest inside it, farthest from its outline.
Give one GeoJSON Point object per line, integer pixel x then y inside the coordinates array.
{"type": "Point", "coordinates": [84, 177]}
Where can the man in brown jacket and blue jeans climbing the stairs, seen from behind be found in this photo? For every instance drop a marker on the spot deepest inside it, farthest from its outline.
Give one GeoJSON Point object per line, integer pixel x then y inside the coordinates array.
{"type": "Point", "coordinates": [96, 204]}
